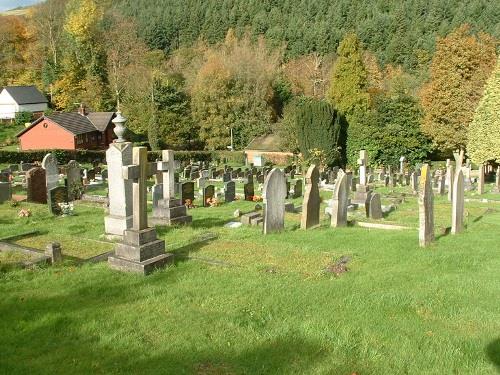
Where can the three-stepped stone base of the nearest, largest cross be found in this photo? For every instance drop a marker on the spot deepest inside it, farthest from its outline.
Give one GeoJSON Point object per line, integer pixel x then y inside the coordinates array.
{"type": "Point", "coordinates": [141, 251]}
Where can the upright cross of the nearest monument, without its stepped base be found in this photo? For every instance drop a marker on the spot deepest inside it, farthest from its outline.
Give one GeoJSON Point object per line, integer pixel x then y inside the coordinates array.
{"type": "Point", "coordinates": [139, 172]}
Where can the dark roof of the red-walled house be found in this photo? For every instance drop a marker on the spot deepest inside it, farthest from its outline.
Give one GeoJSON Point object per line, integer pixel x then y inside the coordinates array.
{"type": "Point", "coordinates": [75, 123]}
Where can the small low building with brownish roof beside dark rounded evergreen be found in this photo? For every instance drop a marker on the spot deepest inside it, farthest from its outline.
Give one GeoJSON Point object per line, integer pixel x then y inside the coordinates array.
{"type": "Point", "coordinates": [266, 148]}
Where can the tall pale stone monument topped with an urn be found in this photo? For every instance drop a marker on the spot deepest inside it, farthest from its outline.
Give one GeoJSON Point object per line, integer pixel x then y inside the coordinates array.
{"type": "Point", "coordinates": [119, 154]}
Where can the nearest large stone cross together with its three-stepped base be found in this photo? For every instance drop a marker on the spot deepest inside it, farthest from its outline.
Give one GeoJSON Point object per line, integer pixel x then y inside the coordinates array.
{"type": "Point", "coordinates": [141, 251]}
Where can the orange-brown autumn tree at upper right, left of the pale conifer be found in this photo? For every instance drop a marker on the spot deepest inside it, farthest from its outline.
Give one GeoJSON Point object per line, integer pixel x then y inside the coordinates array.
{"type": "Point", "coordinates": [459, 69]}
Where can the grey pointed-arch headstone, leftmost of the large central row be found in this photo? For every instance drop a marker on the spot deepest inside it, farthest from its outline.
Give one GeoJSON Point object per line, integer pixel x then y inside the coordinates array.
{"type": "Point", "coordinates": [274, 195]}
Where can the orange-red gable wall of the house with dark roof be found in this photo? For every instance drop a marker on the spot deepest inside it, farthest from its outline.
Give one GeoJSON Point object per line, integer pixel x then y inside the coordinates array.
{"type": "Point", "coordinates": [47, 135]}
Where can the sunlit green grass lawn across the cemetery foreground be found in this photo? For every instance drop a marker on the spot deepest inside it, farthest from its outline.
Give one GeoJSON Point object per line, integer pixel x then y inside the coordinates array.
{"type": "Point", "coordinates": [243, 303]}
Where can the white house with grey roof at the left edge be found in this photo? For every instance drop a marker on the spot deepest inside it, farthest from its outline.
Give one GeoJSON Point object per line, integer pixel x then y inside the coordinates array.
{"type": "Point", "coordinates": [14, 99]}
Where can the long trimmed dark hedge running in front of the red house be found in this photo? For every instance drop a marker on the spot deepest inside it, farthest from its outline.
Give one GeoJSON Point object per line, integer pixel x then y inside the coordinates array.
{"type": "Point", "coordinates": [88, 156]}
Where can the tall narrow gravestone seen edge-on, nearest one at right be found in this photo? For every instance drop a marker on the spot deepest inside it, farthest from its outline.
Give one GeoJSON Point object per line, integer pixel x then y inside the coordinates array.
{"type": "Point", "coordinates": [426, 207]}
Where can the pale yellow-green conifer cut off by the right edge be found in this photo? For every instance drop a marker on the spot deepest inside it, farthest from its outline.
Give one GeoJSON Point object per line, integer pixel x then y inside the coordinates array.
{"type": "Point", "coordinates": [483, 140]}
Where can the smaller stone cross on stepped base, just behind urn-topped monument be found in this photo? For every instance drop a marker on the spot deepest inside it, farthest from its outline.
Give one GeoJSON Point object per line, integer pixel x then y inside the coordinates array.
{"type": "Point", "coordinates": [168, 209]}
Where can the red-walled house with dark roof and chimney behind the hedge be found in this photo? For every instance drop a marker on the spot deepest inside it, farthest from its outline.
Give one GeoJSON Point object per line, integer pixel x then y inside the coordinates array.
{"type": "Point", "coordinates": [69, 131]}
